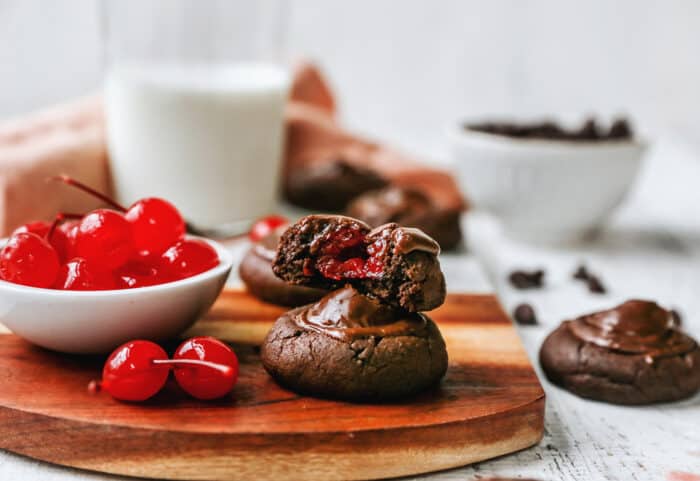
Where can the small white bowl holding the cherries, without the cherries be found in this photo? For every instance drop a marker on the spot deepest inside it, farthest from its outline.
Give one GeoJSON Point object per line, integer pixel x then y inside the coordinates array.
{"type": "Point", "coordinates": [91, 322]}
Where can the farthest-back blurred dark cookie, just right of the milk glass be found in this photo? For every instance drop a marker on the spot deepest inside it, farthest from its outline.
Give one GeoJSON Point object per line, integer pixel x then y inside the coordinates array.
{"type": "Point", "coordinates": [329, 186]}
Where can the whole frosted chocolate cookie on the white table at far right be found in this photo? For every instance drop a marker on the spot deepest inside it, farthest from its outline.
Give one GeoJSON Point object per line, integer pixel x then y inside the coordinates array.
{"type": "Point", "coordinates": [631, 354]}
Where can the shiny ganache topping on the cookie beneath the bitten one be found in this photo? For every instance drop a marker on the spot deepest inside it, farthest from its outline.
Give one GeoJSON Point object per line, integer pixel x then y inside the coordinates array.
{"type": "Point", "coordinates": [346, 314]}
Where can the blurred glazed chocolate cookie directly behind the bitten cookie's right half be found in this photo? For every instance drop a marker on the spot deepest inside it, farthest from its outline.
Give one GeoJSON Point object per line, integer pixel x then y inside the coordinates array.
{"type": "Point", "coordinates": [409, 208]}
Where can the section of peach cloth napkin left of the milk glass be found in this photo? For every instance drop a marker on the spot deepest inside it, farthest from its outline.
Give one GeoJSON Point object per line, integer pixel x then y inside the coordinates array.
{"type": "Point", "coordinates": [67, 139]}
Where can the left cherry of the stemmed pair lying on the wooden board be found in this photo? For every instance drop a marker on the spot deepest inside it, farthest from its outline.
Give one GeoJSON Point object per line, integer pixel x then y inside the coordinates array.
{"type": "Point", "coordinates": [130, 373]}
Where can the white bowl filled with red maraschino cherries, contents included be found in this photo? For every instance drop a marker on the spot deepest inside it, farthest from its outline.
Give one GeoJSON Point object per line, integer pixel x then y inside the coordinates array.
{"type": "Point", "coordinates": [86, 283]}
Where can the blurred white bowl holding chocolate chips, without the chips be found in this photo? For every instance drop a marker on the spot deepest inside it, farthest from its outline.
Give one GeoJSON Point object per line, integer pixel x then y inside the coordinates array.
{"type": "Point", "coordinates": [547, 191]}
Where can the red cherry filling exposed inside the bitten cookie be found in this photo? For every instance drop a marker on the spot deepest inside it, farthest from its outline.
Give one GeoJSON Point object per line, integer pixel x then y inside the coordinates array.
{"type": "Point", "coordinates": [346, 253]}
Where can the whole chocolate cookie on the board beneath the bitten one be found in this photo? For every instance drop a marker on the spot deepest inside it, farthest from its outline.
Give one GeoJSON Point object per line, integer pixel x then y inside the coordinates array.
{"type": "Point", "coordinates": [348, 346]}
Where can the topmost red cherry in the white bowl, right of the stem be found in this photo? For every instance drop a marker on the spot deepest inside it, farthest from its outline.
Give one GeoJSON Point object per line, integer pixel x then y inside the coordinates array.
{"type": "Point", "coordinates": [156, 225]}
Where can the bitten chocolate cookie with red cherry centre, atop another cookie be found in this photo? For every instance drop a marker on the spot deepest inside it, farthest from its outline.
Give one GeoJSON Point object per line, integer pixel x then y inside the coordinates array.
{"type": "Point", "coordinates": [396, 265]}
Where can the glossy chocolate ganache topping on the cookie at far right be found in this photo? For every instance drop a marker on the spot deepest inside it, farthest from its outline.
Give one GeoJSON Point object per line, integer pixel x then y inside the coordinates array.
{"type": "Point", "coordinates": [634, 327]}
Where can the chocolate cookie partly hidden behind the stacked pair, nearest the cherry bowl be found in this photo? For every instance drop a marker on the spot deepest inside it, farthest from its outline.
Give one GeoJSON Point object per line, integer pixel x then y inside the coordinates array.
{"type": "Point", "coordinates": [256, 273]}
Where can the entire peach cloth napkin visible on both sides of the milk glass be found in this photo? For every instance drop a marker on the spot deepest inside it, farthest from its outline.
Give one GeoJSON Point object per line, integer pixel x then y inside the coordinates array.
{"type": "Point", "coordinates": [70, 139]}
